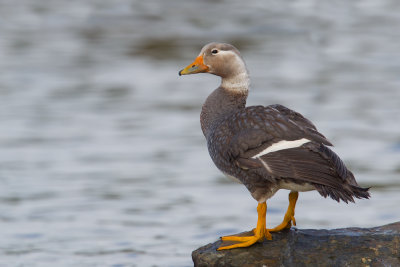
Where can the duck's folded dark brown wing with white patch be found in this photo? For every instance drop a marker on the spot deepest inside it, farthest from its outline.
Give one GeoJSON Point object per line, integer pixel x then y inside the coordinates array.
{"type": "Point", "coordinates": [281, 144]}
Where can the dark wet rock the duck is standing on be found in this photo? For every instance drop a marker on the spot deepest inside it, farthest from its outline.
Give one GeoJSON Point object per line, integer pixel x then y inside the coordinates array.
{"type": "Point", "coordinates": [378, 246]}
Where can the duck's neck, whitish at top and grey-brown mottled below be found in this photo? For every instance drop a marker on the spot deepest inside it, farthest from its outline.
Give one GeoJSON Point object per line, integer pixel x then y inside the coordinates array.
{"type": "Point", "coordinates": [228, 98]}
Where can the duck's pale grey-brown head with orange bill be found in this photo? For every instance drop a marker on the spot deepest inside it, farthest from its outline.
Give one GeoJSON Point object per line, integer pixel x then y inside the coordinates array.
{"type": "Point", "coordinates": [220, 59]}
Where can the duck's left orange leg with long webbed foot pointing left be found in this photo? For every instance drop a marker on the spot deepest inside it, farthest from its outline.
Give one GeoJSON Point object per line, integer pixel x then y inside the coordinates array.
{"type": "Point", "coordinates": [260, 232]}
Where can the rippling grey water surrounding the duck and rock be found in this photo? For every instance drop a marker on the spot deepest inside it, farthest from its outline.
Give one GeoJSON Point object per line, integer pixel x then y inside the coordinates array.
{"type": "Point", "coordinates": [102, 160]}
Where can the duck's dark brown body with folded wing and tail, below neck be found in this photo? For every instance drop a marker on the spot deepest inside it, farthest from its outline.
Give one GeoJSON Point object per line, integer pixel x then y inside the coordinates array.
{"type": "Point", "coordinates": [274, 147]}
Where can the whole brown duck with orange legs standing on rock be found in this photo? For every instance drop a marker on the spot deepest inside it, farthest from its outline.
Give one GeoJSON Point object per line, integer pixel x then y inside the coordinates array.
{"type": "Point", "coordinates": [266, 148]}
